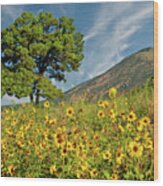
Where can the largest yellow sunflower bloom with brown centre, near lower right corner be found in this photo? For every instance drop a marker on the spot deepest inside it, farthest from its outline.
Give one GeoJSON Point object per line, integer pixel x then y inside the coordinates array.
{"type": "Point", "coordinates": [135, 149]}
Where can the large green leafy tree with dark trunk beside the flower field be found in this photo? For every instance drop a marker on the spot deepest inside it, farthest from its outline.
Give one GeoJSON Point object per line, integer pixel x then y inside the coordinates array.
{"type": "Point", "coordinates": [36, 49]}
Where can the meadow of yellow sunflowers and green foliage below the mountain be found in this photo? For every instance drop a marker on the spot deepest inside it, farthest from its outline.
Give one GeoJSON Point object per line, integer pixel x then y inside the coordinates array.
{"type": "Point", "coordinates": [108, 139]}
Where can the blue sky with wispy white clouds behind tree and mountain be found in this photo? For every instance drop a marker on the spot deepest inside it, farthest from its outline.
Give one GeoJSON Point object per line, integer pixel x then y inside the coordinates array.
{"type": "Point", "coordinates": [111, 32]}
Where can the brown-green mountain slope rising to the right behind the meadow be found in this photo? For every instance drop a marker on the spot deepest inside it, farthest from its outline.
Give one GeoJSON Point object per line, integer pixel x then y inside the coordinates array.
{"type": "Point", "coordinates": [131, 72]}
